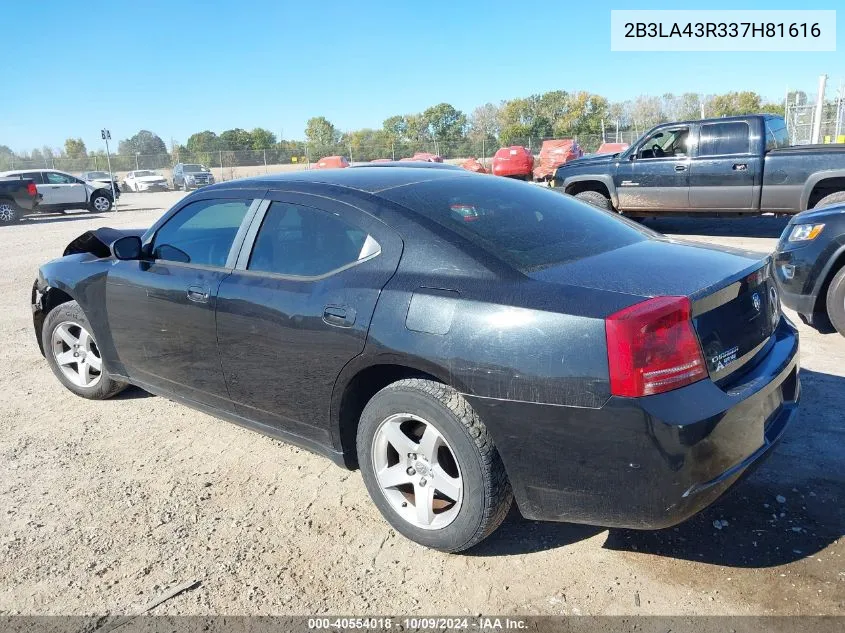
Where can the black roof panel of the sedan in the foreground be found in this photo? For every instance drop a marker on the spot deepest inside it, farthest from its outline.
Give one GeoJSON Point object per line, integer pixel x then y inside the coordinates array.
{"type": "Point", "coordinates": [360, 178]}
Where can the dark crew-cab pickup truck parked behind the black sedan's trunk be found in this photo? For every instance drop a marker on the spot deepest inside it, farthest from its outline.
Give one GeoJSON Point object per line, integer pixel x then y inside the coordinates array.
{"type": "Point", "coordinates": [731, 166]}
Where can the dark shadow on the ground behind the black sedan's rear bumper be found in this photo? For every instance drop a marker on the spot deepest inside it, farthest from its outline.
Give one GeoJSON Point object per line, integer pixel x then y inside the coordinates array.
{"type": "Point", "coordinates": [790, 508]}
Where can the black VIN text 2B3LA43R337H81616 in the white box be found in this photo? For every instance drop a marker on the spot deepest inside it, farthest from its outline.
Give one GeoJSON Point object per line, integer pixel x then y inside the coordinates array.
{"type": "Point", "coordinates": [721, 29]}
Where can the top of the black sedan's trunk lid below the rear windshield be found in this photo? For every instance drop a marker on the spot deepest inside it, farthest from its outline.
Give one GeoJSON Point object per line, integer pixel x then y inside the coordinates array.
{"type": "Point", "coordinates": [656, 267]}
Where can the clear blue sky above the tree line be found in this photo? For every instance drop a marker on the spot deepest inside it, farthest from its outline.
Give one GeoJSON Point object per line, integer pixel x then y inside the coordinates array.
{"type": "Point", "coordinates": [178, 67]}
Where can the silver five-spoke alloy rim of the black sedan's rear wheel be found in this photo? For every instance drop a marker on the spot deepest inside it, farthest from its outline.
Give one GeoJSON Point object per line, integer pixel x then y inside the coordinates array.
{"type": "Point", "coordinates": [417, 471]}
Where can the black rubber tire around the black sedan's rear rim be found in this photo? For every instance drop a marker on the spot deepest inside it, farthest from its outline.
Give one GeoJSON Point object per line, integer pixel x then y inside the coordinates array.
{"type": "Point", "coordinates": [479, 462]}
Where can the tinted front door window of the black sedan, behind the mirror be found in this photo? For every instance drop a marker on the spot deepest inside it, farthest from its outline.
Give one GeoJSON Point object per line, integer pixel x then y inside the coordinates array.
{"type": "Point", "coordinates": [201, 233]}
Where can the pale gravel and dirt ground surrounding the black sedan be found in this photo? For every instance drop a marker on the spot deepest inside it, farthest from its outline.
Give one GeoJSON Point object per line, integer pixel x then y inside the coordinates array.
{"type": "Point", "coordinates": [104, 505]}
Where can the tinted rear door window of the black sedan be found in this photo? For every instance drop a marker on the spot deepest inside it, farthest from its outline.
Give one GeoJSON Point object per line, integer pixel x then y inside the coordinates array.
{"type": "Point", "coordinates": [304, 242]}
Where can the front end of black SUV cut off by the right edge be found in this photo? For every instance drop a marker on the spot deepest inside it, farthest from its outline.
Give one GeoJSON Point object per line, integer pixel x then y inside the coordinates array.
{"type": "Point", "coordinates": [810, 265]}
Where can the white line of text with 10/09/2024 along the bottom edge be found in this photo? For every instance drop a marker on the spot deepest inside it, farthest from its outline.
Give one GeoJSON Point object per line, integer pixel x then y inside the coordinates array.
{"type": "Point", "coordinates": [480, 623]}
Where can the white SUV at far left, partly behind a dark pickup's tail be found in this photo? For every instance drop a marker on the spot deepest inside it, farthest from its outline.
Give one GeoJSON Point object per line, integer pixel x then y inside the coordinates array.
{"type": "Point", "coordinates": [61, 191]}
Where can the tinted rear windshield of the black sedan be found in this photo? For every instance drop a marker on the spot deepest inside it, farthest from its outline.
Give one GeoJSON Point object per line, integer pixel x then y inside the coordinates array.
{"type": "Point", "coordinates": [529, 226]}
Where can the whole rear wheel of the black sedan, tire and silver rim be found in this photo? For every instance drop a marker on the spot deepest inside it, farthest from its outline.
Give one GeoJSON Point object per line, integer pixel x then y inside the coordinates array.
{"type": "Point", "coordinates": [430, 465]}
